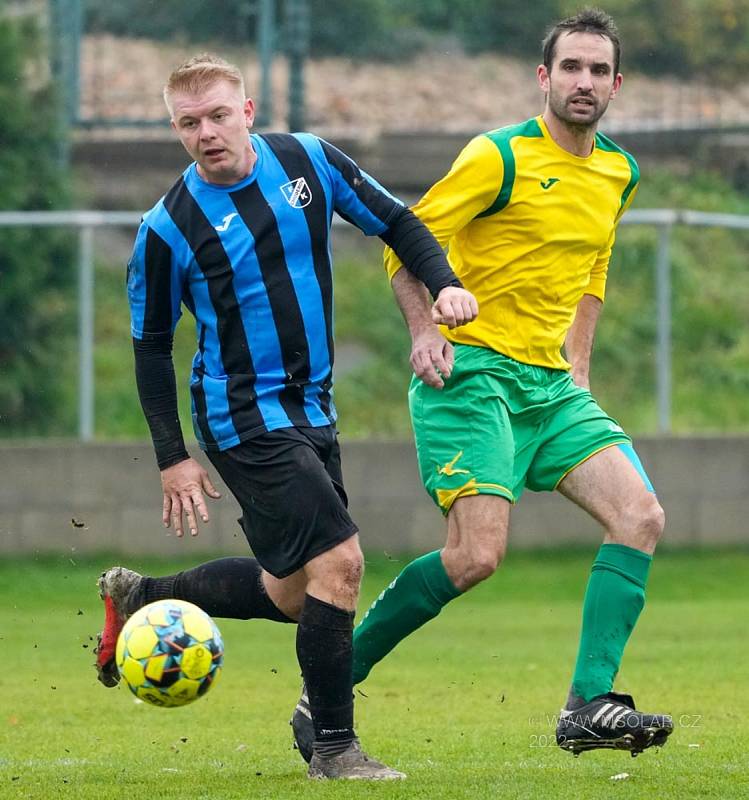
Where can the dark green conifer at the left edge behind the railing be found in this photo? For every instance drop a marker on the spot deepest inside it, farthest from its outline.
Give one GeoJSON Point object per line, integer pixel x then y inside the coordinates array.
{"type": "Point", "coordinates": [35, 274]}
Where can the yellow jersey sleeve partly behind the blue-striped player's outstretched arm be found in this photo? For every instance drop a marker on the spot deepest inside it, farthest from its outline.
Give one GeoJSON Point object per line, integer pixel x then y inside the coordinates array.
{"type": "Point", "coordinates": [469, 188]}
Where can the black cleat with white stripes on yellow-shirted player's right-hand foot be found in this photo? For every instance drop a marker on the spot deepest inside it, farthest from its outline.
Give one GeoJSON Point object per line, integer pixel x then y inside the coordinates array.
{"type": "Point", "coordinates": [611, 721]}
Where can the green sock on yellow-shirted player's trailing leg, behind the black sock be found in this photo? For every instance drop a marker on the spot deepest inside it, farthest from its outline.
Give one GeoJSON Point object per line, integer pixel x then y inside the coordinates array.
{"type": "Point", "coordinates": [413, 598]}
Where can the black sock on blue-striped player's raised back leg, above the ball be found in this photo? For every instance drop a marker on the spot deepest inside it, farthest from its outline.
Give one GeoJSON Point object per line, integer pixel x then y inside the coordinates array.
{"type": "Point", "coordinates": [227, 587]}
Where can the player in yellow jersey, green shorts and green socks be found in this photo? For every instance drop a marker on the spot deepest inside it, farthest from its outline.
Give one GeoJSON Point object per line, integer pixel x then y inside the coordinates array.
{"type": "Point", "coordinates": [528, 215]}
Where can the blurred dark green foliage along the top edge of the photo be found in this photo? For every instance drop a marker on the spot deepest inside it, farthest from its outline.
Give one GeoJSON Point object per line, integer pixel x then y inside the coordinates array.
{"type": "Point", "coordinates": [682, 37]}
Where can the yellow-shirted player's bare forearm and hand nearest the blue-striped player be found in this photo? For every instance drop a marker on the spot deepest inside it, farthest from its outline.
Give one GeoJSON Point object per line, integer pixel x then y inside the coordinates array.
{"type": "Point", "coordinates": [431, 354]}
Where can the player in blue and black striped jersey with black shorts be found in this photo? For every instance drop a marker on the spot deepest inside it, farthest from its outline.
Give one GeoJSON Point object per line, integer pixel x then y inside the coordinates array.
{"type": "Point", "coordinates": [242, 240]}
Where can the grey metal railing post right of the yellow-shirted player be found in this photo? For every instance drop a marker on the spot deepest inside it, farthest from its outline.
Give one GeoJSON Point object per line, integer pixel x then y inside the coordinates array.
{"type": "Point", "coordinates": [663, 328]}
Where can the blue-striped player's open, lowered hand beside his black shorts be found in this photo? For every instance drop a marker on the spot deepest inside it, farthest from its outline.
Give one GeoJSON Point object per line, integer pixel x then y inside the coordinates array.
{"type": "Point", "coordinates": [183, 485]}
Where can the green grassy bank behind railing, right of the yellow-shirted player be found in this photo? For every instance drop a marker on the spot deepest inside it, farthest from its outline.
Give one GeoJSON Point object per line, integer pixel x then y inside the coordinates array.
{"type": "Point", "coordinates": [710, 297]}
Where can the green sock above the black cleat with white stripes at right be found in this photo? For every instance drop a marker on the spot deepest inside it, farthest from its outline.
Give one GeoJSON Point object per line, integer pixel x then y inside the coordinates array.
{"type": "Point", "coordinates": [613, 601]}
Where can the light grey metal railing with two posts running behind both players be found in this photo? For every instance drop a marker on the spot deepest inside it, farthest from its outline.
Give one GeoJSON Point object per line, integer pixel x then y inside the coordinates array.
{"type": "Point", "coordinates": [86, 223]}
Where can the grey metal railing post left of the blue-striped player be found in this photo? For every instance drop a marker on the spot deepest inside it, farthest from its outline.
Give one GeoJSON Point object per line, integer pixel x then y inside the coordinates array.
{"type": "Point", "coordinates": [86, 333]}
